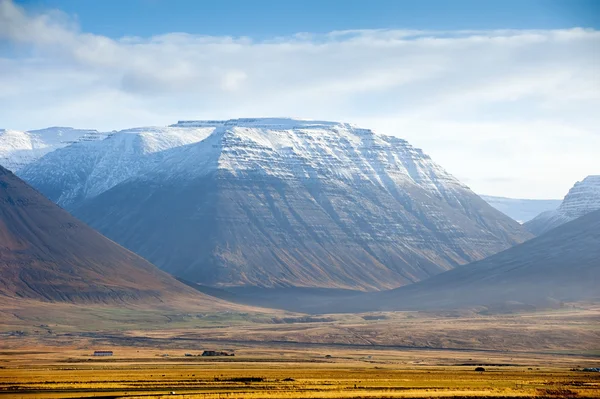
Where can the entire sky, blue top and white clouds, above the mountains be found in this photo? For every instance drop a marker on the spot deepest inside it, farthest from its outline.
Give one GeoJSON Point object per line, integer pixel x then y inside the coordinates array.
{"type": "Point", "coordinates": [503, 94]}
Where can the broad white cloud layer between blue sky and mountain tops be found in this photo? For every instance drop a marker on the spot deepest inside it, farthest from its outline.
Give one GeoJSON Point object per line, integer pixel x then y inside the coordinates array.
{"type": "Point", "coordinates": [509, 112]}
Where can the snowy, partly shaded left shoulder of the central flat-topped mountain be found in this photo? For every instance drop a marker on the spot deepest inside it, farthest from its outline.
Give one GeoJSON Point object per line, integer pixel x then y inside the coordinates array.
{"type": "Point", "coordinates": [88, 168]}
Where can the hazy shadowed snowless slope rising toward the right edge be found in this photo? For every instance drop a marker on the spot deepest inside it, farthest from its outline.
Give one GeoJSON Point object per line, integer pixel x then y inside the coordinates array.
{"type": "Point", "coordinates": [561, 265]}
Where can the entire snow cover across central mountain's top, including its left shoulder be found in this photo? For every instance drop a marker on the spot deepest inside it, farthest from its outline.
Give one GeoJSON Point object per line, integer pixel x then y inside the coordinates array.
{"type": "Point", "coordinates": [278, 147]}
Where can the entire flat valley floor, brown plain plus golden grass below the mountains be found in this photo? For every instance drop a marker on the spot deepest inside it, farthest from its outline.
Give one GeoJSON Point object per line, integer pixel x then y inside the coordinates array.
{"type": "Point", "coordinates": [285, 355]}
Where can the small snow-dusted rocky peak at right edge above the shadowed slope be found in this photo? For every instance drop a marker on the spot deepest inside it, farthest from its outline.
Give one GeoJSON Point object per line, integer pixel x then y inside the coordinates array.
{"type": "Point", "coordinates": [583, 198]}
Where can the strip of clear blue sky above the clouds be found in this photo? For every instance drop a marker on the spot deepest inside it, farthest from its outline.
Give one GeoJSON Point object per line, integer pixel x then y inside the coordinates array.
{"type": "Point", "coordinates": [262, 18]}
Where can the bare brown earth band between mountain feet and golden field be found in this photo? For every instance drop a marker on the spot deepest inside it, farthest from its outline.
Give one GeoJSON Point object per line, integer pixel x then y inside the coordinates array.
{"type": "Point", "coordinates": [569, 331]}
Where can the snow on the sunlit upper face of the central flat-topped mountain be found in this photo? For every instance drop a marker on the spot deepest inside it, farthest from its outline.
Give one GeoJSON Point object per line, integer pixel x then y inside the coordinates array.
{"type": "Point", "coordinates": [300, 149]}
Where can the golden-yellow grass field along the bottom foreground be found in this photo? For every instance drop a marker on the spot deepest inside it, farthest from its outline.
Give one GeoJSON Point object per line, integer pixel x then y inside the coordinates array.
{"type": "Point", "coordinates": [68, 371]}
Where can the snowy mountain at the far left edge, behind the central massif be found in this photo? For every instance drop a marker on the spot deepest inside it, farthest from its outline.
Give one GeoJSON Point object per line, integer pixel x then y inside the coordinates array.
{"type": "Point", "coordinates": [18, 149]}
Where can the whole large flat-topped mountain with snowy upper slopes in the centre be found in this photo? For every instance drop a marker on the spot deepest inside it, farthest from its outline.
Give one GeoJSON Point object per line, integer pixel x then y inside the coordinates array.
{"type": "Point", "coordinates": [274, 202]}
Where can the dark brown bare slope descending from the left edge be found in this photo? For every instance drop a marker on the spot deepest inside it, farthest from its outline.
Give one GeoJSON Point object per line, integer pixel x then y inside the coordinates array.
{"type": "Point", "coordinates": [47, 254]}
